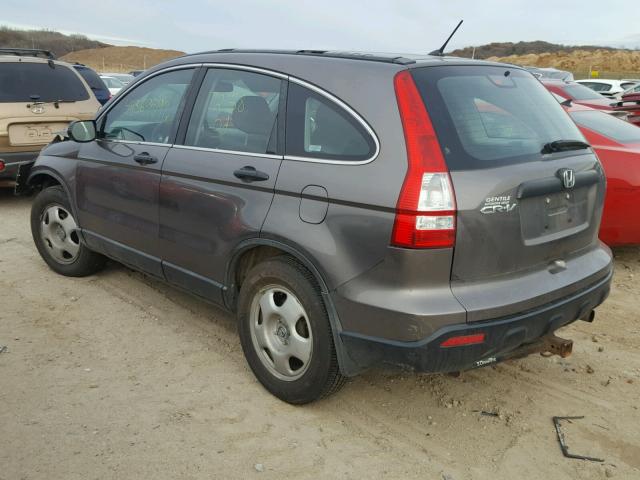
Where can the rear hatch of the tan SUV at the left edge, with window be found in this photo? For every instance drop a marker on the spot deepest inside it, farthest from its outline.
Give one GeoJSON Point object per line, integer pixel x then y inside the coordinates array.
{"type": "Point", "coordinates": [38, 100]}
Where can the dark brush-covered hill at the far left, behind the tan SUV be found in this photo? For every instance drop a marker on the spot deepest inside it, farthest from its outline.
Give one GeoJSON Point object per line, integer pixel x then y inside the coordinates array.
{"type": "Point", "coordinates": [55, 42]}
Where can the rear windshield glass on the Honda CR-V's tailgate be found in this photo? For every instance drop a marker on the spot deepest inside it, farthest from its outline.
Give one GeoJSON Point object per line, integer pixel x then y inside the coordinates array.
{"type": "Point", "coordinates": [491, 116]}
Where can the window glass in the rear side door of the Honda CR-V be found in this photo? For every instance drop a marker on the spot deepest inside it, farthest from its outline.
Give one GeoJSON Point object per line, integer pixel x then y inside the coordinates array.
{"type": "Point", "coordinates": [235, 110]}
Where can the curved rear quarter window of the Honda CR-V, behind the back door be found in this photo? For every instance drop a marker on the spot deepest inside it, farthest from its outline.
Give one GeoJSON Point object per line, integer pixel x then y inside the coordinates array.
{"type": "Point", "coordinates": [319, 128]}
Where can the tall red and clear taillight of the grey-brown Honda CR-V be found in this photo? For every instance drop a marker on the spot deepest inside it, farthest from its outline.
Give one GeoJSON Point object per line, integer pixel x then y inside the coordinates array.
{"type": "Point", "coordinates": [426, 209]}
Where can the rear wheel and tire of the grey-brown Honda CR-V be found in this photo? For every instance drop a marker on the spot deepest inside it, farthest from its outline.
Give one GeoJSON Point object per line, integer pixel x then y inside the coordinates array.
{"type": "Point", "coordinates": [281, 315]}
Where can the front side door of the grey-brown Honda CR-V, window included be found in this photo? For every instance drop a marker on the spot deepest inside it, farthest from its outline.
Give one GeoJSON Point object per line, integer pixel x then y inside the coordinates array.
{"type": "Point", "coordinates": [118, 174]}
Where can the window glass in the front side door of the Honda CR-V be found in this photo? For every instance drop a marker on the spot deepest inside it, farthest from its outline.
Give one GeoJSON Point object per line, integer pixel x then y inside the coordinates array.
{"type": "Point", "coordinates": [149, 111]}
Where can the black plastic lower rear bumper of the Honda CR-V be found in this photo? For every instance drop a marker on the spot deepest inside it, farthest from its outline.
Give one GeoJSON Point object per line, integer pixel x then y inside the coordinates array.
{"type": "Point", "coordinates": [502, 336]}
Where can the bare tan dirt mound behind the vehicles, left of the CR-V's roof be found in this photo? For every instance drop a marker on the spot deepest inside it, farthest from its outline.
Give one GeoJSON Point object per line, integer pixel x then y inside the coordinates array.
{"type": "Point", "coordinates": [121, 59]}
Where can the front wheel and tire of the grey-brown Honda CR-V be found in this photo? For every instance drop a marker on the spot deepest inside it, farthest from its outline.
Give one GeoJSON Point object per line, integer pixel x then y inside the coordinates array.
{"type": "Point", "coordinates": [55, 233]}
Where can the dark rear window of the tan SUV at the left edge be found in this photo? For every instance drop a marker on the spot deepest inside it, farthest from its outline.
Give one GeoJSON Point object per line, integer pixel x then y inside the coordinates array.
{"type": "Point", "coordinates": [28, 82]}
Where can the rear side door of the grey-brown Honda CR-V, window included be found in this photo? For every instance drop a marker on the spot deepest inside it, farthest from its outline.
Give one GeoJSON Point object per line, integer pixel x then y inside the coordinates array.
{"type": "Point", "coordinates": [218, 180]}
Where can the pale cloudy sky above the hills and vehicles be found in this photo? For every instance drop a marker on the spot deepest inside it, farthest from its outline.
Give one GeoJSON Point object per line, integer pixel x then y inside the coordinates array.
{"type": "Point", "coordinates": [410, 26]}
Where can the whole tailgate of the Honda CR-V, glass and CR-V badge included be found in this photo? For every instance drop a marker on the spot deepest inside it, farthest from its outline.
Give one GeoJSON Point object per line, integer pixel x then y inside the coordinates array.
{"type": "Point", "coordinates": [529, 194]}
